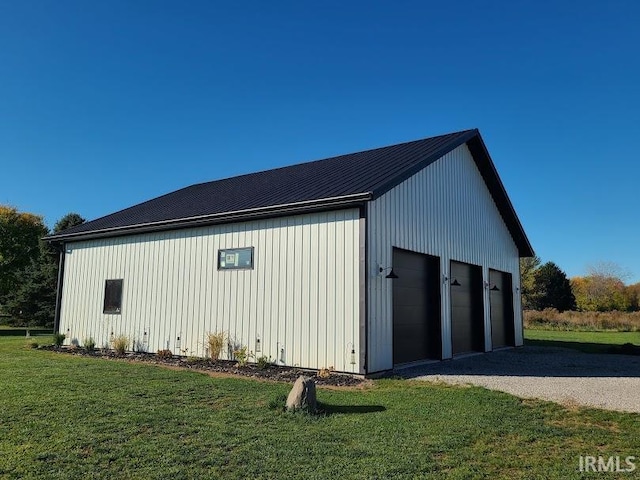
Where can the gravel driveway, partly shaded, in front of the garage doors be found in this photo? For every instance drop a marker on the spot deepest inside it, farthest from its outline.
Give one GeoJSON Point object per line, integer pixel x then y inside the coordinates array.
{"type": "Point", "coordinates": [561, 375]}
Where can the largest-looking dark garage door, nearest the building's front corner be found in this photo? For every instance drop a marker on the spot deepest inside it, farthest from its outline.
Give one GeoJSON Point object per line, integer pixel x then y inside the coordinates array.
{"type": "Point", "coordinates": [416, 307]}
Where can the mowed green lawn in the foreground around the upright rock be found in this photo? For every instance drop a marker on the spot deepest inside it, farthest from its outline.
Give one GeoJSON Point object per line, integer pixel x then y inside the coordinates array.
{"type": "Point", "coordinates": [75, 417]}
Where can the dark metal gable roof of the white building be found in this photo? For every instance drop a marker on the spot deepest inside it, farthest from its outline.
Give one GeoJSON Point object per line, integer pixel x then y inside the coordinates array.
{"type": "Point", "coordinates": [346, 180]}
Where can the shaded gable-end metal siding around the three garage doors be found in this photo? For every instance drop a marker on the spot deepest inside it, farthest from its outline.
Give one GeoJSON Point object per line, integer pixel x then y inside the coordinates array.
{"type": "Point", "coordinates": [444, 210]}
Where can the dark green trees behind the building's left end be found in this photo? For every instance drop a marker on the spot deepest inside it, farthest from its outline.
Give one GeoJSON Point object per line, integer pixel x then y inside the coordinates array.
{"type": "Point", "coordinates": [29, 267]}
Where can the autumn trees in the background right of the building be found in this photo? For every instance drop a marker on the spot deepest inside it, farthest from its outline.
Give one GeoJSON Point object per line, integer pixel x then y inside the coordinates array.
{"type": "Point", "coordinates": [602, 289]}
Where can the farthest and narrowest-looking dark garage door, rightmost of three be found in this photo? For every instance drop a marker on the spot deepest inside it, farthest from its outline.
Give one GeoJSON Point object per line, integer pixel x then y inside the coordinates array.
{"type": "Point", "coordinates": [502, 329]}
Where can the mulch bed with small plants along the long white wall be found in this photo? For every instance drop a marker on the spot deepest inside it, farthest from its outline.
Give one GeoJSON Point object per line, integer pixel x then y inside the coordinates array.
{"type": "Point", "coordinates": [229, 367]}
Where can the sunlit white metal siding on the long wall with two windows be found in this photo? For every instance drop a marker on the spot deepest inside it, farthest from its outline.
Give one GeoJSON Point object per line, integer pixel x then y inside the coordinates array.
{"type": "Point", "coordinates": [301, 298]}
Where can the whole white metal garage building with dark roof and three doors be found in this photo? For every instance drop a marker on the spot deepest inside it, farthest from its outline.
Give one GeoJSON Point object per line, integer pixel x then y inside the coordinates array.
{"type": "Point", "coordinates": [294, 263]}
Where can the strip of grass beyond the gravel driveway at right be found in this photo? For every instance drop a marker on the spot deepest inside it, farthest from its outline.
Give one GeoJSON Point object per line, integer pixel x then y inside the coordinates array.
{"type": "Point", "coordinates": [590, 342]}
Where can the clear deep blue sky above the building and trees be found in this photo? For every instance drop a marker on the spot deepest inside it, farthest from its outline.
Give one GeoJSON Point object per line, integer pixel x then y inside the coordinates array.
{"type": "Point", "coordinates": [107, 103]}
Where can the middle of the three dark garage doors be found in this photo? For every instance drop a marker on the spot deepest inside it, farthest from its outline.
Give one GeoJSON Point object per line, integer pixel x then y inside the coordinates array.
{"type": "Point", "coordinates": [467, 318]}
